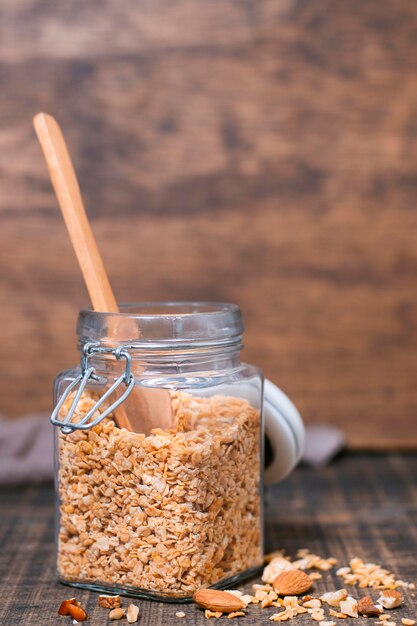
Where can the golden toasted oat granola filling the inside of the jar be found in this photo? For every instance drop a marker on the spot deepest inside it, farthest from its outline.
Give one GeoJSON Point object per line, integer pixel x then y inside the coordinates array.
{"type": "Point", "coordinates": [167, 513]}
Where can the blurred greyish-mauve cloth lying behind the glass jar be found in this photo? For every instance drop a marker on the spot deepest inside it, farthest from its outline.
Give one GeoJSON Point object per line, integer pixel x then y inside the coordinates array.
{"type": "Point", "coordinates": [26, 448]}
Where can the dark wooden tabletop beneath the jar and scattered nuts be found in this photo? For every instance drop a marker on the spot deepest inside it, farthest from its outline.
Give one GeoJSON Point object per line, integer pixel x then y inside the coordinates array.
{"type": "Point", "coordinates": [363, 506]}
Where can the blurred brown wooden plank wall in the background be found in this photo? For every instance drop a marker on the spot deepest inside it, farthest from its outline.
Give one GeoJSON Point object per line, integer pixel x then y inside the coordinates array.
{"type": "Point", "coordinates": [260, 152]}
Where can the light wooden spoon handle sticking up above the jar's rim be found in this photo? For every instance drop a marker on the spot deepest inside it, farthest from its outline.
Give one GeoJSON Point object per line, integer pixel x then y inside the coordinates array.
{"type": "Point", "coordinates": [66, 187]}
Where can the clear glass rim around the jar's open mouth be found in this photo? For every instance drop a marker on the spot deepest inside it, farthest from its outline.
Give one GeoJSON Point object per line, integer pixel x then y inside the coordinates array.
{"type": "Point", "coordinates": [163, 324]}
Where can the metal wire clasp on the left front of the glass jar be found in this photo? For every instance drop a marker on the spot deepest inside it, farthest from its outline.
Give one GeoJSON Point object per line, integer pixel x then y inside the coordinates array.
{"type": "Point", "coordinates": [88, 374]}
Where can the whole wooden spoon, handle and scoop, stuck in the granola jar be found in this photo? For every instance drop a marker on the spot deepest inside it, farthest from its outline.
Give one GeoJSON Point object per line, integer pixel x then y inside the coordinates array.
{"type": "Point", "coordinates": [147, 408]}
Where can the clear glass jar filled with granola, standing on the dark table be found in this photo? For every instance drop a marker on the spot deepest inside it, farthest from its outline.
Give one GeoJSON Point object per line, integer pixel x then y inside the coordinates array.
{"type": "Point", "coordinates": [160, 515]}
